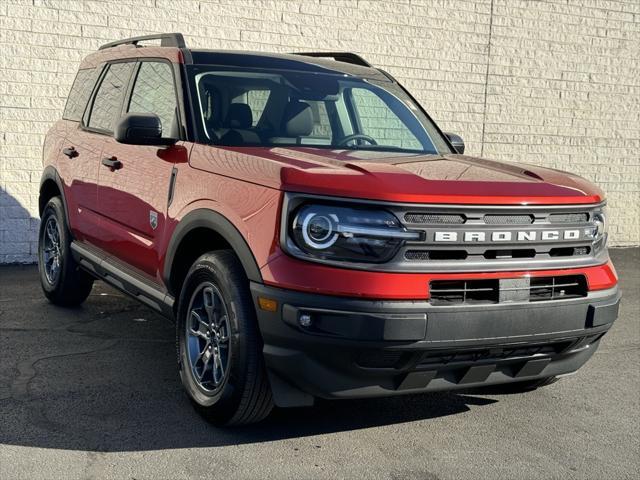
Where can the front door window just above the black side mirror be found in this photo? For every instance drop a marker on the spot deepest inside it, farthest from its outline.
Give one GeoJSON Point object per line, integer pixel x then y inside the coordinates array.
{"type": "Point", "coordinates": [154, 92]}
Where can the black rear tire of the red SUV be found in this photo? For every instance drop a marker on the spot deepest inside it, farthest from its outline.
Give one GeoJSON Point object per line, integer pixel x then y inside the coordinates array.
{"type": "Point", "coordinates": [70, 286]}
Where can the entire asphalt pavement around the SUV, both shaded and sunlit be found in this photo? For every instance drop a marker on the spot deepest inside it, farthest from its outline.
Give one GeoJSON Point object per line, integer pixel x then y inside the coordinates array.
{"type": "Point", "coordinates": [93, 392]}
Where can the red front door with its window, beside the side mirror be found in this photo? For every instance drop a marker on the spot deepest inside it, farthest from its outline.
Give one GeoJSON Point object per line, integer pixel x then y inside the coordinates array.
{"type": "Point", "coordinates": [133, 199]}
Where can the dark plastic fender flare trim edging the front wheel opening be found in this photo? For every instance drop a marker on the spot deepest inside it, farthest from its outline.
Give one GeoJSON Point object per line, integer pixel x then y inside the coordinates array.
{"type": "Point", "coordinates": [205, 218]}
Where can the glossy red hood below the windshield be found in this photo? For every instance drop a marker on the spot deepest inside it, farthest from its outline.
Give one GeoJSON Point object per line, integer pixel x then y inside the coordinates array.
{"type": "Point", "coordinates": [399, 177]}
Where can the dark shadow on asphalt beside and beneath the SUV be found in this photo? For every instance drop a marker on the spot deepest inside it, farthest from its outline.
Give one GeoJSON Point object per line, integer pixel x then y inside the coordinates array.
{"type": "Point", "coordinates": [103, 378]}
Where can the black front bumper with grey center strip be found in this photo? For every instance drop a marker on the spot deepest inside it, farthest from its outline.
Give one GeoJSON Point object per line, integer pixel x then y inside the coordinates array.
{"type": "Point", "coordinates": [362, 348]}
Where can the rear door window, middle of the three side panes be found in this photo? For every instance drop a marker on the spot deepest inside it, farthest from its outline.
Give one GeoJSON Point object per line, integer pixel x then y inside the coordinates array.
{"type": "Point", "coordinates": [107, 104]}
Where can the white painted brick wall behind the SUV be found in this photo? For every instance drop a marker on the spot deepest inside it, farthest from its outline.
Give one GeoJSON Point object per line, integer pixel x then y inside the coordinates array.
{"type": "Point", "coordinates": [553, 83]}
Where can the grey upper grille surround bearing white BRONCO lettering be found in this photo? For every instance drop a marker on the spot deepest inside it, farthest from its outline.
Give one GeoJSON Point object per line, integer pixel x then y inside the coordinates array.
{"type": "Point", "coordinates": [429, 255]}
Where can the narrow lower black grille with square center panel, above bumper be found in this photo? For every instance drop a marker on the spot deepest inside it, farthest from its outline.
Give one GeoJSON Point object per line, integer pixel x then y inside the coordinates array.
{"type": "Point", "coordinates": [448, 292]}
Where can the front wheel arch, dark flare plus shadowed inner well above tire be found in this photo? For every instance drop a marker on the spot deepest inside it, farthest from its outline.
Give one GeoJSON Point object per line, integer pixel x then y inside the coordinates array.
{"type": "Point", "coordinates": [199, 231]}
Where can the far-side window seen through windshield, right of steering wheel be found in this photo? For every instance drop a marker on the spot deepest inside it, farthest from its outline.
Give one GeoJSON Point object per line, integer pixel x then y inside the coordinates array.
{"type": "Point", "coordinates": [380, 122]}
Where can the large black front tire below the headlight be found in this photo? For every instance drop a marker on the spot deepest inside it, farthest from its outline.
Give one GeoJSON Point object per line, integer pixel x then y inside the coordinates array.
{"type": "Point", "coordinates": [243, 394]}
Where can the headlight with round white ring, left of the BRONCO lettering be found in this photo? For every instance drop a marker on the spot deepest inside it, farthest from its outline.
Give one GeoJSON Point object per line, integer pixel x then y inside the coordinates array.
{"type": "Point", "coordinates": [330, 232]}
